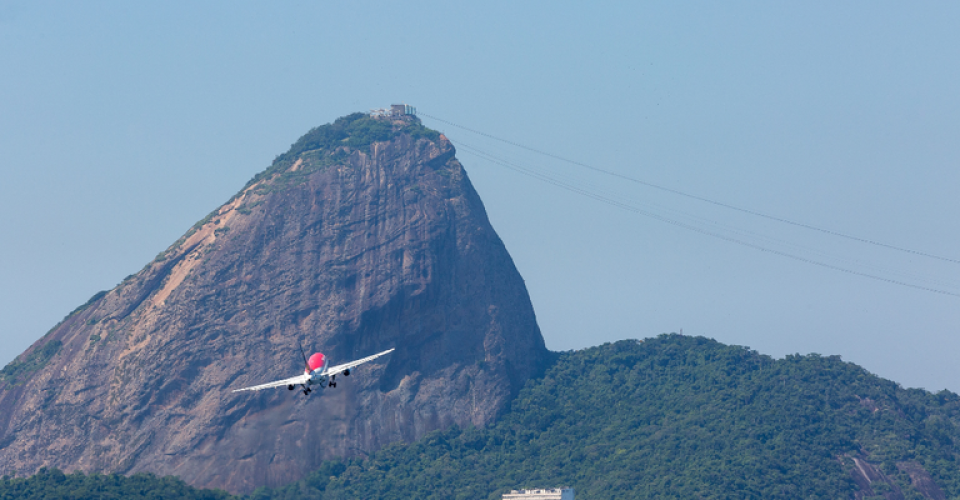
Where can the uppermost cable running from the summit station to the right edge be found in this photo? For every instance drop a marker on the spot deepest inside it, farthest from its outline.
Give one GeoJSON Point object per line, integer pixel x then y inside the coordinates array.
{"type": "Point", "coordinates": [699, 198]}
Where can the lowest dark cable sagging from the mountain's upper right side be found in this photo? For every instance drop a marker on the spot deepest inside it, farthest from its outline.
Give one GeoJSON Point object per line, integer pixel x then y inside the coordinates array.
{"type": "Point", "coordinates": [706, 232]}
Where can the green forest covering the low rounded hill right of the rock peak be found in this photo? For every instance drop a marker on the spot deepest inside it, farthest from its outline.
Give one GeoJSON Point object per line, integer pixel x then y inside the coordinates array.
{"type": "Point", "coordinates": [672, 417]}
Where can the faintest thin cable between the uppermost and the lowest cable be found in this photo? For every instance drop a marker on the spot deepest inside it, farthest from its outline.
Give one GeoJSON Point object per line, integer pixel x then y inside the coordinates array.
{"type": "Point", "coordinates": [610, 197]}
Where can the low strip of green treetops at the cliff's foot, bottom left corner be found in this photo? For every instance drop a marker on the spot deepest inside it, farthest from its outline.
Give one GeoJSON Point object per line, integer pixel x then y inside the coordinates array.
{"type": "Point", "coordinates": [53, 484]}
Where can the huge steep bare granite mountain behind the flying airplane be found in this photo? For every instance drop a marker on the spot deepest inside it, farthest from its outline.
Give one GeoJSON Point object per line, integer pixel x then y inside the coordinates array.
{"type": "Point", "coordinates": [366, 235]}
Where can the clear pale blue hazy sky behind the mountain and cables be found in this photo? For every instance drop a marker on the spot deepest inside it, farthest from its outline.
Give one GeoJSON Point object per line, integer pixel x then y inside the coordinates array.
{"type": "Point", "coordinates": [122, 124]}
